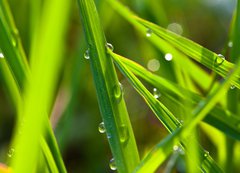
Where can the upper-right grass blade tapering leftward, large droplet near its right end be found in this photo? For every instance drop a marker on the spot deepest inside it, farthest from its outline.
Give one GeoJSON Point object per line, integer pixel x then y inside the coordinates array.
{"type": "Point", "coordinates": [202, 55]}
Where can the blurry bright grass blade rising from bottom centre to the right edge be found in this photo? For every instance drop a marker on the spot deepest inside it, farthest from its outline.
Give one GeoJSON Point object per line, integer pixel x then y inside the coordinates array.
{"type": "Point", "coordinates": [199, 113]}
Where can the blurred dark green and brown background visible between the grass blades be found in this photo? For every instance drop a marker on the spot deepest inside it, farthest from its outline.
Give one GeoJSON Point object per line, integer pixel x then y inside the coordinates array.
{"type": "Point", "coordinates": [75, 115]}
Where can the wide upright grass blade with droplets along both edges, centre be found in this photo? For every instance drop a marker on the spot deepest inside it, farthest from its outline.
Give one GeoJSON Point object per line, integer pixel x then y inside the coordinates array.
{"type": "Point", "coordinates": [110, 98]}
